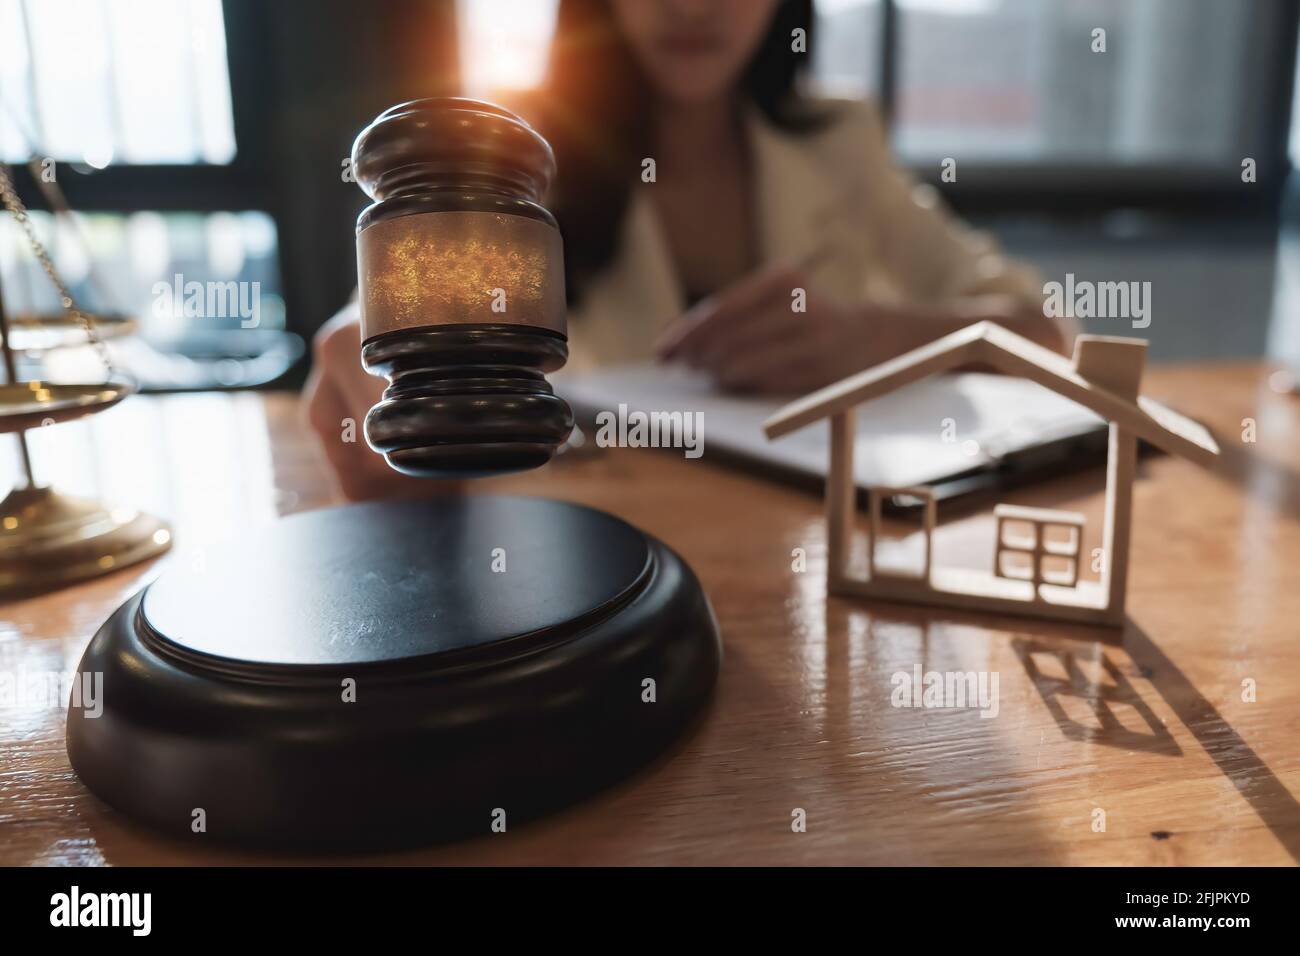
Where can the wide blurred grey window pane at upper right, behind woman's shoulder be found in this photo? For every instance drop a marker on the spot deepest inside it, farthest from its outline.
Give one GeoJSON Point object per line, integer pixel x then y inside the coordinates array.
{"type": "Point", "coordinates": [1180, 83]}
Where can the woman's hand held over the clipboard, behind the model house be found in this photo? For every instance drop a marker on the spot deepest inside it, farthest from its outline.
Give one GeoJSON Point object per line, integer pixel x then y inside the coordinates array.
{"type": "Point", "coordinates": [751, 338]}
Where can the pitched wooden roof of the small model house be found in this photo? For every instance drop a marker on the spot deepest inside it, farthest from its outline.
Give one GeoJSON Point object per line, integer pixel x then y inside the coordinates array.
{"type": "Point", "coordinates": [1011, 354]}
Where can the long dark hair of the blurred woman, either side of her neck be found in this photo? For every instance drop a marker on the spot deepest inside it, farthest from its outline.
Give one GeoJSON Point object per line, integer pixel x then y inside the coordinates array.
{"type": "Point", "coordinates": [595, 111]}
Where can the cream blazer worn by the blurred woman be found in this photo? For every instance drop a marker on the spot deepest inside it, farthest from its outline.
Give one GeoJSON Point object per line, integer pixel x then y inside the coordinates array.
{"type": "Point", "coordinates": [834, 196]}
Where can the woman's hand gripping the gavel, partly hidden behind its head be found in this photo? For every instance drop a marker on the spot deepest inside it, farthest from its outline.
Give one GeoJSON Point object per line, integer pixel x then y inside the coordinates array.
{"type": "Point", "coordinates": [337, 397]}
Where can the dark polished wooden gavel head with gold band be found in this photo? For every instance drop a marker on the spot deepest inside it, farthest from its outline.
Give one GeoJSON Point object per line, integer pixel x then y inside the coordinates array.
{"type": "Point", "coordinates": [462, 289]}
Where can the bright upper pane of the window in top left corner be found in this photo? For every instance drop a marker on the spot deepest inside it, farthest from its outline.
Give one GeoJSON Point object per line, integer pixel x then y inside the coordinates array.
{"type": "Point", "coordinates": [115, 83]}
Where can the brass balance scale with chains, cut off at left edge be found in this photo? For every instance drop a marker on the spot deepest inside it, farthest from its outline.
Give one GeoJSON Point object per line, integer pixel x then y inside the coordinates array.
{"type": "Point", "coordinates": [47, 538]}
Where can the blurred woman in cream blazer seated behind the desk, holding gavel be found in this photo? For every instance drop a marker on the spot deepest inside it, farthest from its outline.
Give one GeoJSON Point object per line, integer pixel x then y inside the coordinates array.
{"type": "Point", "coordinates": [716, 214]}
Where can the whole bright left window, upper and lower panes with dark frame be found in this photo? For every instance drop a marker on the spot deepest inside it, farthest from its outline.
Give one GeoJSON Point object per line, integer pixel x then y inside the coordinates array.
{"type": "Point", "coordinates": [137, 103]}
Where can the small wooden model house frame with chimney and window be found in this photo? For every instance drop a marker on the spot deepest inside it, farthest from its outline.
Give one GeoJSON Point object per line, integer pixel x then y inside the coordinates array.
{"type": "Point", "coordinates": [1035, 573]}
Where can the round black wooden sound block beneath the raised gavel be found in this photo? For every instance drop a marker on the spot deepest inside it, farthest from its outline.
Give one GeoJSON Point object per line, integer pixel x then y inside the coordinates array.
{"type": "Point", "coordinates": [370, 677]}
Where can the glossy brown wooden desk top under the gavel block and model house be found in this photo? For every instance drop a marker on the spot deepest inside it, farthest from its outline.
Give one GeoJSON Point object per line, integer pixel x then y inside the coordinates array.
{"type": "Point", "coordinates": [1149, 726]}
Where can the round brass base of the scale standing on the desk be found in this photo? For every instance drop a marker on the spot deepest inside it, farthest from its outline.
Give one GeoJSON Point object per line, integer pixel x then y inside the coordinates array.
{"type": "Point", "coordinates": [50, 540]}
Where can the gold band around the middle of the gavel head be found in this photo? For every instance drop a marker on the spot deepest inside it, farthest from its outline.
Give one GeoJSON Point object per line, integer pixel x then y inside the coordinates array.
{"type": "Point", "coordinates": [452, 269]}
